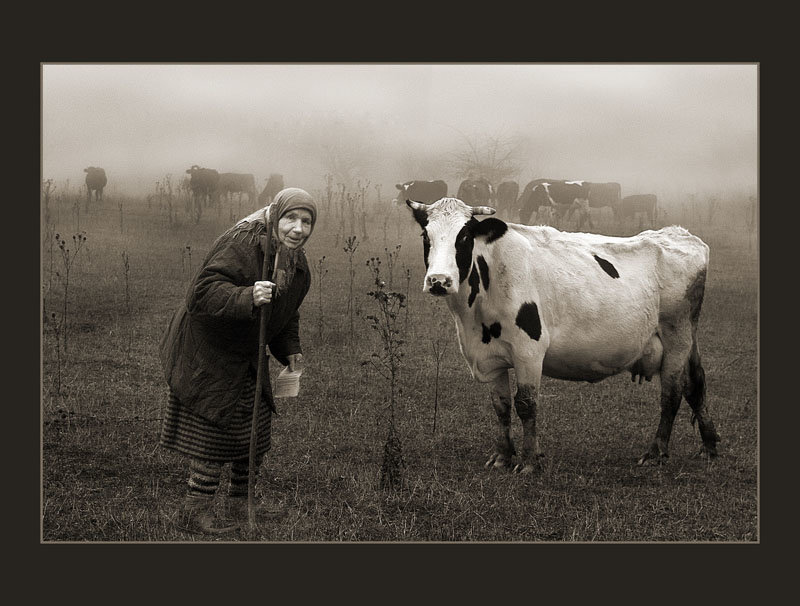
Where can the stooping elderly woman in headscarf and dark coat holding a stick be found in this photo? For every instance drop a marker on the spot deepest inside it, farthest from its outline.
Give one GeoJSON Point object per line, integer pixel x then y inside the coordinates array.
{"type": "Point", "coordinates": [210, 353]}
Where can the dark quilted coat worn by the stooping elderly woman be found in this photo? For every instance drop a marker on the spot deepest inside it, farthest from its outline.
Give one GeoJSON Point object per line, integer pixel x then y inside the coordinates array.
{"type": "Point", "coordinates": [210, 350]}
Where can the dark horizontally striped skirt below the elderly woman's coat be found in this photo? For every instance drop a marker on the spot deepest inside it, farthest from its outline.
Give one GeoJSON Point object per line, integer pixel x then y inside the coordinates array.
{"type": "Point", "coordinates": [188, 433]}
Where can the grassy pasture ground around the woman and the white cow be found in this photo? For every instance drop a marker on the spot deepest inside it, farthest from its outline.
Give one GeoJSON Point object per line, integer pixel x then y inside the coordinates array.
{"type": "Point", "coordinates": [105, 479]}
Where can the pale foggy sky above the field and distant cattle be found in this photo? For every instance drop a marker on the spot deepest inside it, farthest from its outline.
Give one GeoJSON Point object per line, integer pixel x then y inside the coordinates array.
{"type": "Point", "coordinates": [652, 127]}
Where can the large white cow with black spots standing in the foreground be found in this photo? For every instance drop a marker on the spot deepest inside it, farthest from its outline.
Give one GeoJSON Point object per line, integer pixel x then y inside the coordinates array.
{"type": "Point", "coordinates": [573, 306]}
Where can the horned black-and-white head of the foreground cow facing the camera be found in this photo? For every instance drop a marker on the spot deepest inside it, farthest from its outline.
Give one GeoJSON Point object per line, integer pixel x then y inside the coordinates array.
{"type": "Point", "coordinates": [449, 229]}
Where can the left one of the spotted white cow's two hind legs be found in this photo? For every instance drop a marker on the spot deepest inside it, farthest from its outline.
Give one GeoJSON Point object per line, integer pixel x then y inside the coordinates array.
{"type": "Point", "coordinates": [676, 338]}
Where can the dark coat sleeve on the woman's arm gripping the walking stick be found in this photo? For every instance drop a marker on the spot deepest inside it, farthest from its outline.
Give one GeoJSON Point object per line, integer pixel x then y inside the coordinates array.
{"type": "Point", "coordinates": [223, 288]}
